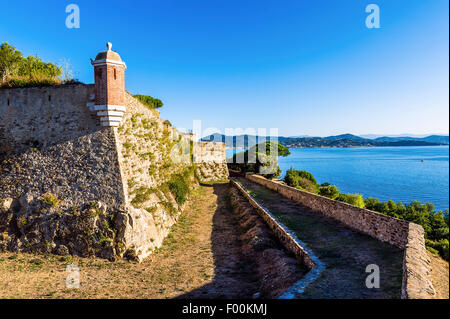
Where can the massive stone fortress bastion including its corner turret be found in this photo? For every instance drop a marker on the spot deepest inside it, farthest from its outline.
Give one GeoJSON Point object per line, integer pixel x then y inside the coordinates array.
{"type": "Point", "coordinates": [87, 174]}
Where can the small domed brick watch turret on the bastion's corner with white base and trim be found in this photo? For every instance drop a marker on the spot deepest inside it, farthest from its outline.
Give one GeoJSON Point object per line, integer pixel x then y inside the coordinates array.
{"type": "Point", "coordinates": [109, 87]}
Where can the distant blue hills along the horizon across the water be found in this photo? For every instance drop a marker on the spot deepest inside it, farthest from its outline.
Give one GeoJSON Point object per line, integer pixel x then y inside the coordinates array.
{"type": "Point", "coordinates": [343, 140]}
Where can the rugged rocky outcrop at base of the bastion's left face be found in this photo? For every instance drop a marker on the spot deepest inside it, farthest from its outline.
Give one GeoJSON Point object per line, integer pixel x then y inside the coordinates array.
{"type": "Point", "coordinates": [38, 223]}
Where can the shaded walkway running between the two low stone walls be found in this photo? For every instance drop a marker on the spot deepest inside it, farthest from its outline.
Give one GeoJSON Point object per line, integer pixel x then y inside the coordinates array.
{"type": "Point", "coordinates": [345, 252]}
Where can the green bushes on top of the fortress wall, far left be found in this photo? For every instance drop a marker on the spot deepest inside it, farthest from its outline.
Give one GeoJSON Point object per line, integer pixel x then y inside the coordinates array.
{"type": "Point", "coordinates": [19, 71]}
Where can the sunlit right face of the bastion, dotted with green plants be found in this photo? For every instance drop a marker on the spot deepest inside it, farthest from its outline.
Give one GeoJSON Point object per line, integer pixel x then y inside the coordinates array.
{"type": "Point", "coordinates": [145, 146]}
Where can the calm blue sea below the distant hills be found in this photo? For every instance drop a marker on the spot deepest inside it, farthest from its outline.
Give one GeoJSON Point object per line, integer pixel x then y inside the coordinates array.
{"type": "Point", "coordinates": [399, 173]}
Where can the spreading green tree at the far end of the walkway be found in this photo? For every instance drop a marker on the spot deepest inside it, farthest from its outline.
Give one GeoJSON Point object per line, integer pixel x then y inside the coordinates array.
{"type": "Point", "coordinates": [261, 158]}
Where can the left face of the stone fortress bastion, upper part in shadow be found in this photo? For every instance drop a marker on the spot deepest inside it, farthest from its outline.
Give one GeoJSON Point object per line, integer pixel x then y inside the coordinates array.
{"type": "Point", "coordinates": [56, 160]}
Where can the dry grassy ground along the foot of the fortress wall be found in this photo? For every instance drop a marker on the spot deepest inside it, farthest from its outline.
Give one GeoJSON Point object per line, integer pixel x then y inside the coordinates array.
{"type": "Point", "coordinates": [203, 257]}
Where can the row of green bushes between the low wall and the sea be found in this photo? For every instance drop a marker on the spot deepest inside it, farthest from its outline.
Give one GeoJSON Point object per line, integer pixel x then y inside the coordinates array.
{"type": "Point", "coordinates": [435, 223]}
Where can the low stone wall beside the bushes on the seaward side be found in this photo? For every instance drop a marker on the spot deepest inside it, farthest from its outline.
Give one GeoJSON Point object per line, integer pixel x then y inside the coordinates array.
{"type": "Point", "coordinates": [400, 233]}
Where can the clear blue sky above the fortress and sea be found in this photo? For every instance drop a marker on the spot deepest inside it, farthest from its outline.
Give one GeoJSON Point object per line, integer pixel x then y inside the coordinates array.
{"type": "Point", "coordinates": [304, 67]}
